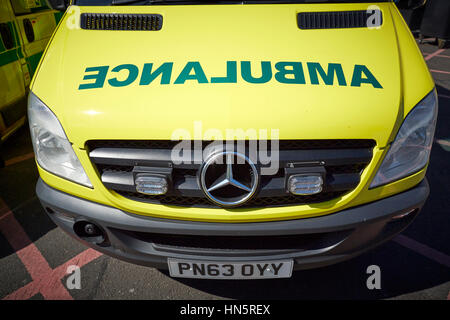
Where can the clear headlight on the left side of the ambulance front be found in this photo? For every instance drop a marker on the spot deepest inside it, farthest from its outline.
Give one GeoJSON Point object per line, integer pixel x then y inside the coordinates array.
{"type": "Point", "coordinates": [53, 151]}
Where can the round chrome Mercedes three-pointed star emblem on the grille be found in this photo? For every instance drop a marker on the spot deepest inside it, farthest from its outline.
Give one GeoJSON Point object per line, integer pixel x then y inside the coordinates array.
{"type": "Point", "coordinates": [229, 178]}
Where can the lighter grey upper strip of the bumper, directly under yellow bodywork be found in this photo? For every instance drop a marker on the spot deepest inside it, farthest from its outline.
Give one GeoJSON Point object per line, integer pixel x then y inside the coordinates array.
{"type": "Point", "coordinates": [342, 220]}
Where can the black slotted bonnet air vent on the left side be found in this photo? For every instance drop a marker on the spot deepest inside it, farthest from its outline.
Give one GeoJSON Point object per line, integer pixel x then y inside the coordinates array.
{"type": "Point", "coordinates": [132, 22]}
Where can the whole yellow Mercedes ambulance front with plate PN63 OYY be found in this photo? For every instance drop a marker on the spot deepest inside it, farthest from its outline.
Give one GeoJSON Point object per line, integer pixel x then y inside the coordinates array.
{"type": "Point", "coordinates": [232, 139]}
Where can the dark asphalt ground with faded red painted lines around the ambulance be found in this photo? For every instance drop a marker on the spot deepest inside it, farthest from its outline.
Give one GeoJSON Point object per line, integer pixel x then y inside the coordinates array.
{"type": "Point", "coordinates": [35, 254]}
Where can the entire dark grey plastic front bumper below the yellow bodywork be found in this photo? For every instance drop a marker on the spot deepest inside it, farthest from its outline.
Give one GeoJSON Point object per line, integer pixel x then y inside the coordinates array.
{"type": "Point", "coordinates": [321, 240]}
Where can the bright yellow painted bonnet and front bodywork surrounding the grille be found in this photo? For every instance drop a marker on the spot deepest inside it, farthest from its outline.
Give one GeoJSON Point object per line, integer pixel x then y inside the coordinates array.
{"type": "Point", "coordinates": [213, 35]}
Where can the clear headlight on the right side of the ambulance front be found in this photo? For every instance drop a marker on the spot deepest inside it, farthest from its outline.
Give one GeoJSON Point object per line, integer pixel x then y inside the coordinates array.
{"type": "Point", "coordinates": [411, 149]}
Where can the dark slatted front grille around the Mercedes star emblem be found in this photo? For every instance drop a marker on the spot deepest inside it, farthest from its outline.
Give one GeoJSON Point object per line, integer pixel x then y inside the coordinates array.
{"type": "Point", "coordinates": [343, 160]}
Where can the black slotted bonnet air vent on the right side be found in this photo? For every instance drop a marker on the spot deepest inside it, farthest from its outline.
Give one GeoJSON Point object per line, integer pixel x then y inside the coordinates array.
{"type": "Point", "coordinates": [339, 19]}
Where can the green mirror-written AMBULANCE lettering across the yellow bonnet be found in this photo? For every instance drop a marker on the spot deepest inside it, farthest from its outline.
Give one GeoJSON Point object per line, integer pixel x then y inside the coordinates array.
{"type": "Point", "coordinates": [283, 72]}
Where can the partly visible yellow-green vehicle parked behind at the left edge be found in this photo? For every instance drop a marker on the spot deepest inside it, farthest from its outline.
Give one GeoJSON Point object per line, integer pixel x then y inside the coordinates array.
{"type": "Point", "coordinates": [25, 29]}
